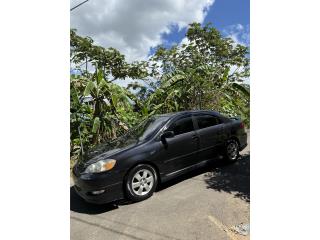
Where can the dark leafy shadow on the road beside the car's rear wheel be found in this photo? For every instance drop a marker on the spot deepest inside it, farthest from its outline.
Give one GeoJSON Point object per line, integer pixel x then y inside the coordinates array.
{"type": "Point", "coordinates": [233, 178]}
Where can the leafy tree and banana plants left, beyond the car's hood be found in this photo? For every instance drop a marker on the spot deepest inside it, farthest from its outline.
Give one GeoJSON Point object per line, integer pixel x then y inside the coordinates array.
{"type": "Point", "coordinates": [100, 109]}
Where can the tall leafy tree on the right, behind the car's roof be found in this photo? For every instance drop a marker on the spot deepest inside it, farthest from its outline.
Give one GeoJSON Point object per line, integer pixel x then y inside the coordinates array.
{"type": "Point", "coordinates": [208, 72]}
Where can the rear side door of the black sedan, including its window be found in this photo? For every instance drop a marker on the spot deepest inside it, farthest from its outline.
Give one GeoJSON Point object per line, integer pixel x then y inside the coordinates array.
{"type": "Point", "coordinates": [210, 129]}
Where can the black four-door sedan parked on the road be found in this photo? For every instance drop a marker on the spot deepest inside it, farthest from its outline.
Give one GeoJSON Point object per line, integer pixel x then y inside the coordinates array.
{"type": "Point", "coordinates": [158, 149]}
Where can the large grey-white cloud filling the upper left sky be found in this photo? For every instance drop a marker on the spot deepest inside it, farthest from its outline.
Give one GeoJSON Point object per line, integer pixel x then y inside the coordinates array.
{"type": "Point", "coordinates": [133, 26]}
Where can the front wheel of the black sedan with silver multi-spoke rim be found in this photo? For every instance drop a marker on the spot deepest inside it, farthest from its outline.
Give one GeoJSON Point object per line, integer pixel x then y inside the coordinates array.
{"type": "Point", "coordinates": [141, 182]}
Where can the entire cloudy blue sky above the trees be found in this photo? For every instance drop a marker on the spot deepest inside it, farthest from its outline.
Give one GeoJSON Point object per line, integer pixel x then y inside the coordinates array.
{"type": "Point", "coordinates": [136, 27]}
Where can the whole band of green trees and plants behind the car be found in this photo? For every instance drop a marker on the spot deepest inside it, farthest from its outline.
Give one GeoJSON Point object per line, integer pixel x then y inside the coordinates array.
{"type": "Point", "coordinates": [206, 73]}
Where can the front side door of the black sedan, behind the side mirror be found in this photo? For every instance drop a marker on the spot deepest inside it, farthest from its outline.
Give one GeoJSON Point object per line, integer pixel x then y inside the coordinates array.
{"type": "Point", "coordinates": [179, 151]}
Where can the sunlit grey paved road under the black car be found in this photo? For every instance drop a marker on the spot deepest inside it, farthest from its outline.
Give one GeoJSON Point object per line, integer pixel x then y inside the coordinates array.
{"type": "Point", "coordinates": [204, 204]}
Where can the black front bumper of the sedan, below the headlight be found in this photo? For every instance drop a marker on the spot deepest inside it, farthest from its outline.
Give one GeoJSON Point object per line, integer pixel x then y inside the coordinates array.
{"type": "Point", "coordinates": [86, 185]}
